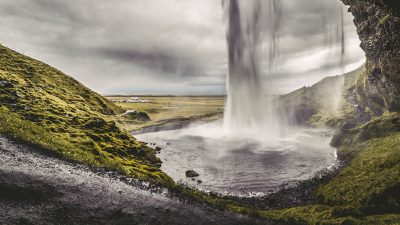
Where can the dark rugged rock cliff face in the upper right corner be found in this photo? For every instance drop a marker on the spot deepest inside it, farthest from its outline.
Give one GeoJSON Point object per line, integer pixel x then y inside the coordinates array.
{"type": "Point", "coordinates": [378, 26]}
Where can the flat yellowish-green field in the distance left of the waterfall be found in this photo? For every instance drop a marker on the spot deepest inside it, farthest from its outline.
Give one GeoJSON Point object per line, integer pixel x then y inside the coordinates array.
{"type": "Point", "coordinates": [164, 110]}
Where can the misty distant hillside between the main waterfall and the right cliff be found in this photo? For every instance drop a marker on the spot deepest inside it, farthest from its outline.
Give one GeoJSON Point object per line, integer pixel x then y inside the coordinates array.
{"type": "Point", "coordinates": [322, 104]}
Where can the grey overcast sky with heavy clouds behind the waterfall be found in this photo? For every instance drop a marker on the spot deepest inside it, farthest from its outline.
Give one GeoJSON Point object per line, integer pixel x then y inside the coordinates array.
{"type": "Point", "coordinates": [167, 46]}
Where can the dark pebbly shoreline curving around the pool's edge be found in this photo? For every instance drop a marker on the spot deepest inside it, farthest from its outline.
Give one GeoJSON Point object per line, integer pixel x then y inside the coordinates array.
{"type": "Point", "coordinates": [288, 195]}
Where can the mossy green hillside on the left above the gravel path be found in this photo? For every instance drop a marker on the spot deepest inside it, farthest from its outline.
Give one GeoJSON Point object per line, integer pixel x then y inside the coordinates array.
{"type": "Point", "coordinates": [42, 106]}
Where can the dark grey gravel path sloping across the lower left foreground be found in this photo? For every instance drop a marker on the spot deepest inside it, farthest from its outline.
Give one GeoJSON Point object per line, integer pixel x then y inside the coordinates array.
{"type": "Point", "coordinates": [37, 189]}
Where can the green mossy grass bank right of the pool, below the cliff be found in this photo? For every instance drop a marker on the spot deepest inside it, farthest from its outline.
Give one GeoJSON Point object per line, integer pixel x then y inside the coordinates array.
{"type": "Point", "coordinates": [367, 191]}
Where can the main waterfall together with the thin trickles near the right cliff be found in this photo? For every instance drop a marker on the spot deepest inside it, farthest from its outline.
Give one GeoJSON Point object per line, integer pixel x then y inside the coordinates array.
{"type": "Point", "coordinates": [253, 52]}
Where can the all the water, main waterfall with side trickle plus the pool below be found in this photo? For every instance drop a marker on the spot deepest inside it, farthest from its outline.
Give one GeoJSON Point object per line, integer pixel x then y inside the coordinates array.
{"type": "Point", "coordinates": [254, 149]}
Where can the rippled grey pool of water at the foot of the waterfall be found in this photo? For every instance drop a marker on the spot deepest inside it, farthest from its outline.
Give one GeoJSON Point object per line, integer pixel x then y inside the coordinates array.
{"type": "Point", "coordinates": [239, 164]}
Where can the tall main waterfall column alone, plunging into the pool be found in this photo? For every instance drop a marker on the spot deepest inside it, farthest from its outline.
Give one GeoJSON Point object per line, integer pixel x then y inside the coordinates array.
{"type": "Point", "coordinates": [247, 23]}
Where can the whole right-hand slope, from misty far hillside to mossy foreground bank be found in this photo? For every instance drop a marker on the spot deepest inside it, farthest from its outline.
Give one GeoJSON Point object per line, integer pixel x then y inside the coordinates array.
{"type": "Point", "coordinates": [366, 189]}
